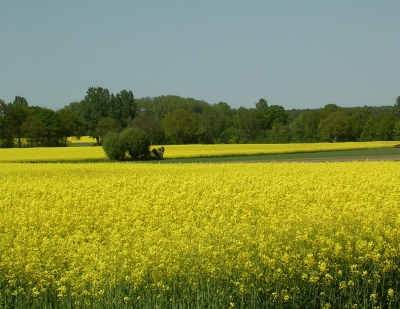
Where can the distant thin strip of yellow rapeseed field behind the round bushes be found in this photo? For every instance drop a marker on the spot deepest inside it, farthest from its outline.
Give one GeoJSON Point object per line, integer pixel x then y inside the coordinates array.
{"type": "Point", "coordinates": [181, 151]}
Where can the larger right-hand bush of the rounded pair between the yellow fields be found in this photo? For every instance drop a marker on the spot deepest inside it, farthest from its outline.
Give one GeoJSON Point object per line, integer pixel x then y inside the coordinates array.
{"type": "Point", "coordinates": [136, 142]}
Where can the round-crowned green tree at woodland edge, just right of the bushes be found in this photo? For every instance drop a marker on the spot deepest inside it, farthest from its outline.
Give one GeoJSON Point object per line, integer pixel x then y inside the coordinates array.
{"type": "Point", "coordinates": [180, 126]}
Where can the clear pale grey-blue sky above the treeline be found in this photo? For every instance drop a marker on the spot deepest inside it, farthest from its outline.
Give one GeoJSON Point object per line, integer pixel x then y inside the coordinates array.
{"type": "Point", "coordinates": [298, 54]}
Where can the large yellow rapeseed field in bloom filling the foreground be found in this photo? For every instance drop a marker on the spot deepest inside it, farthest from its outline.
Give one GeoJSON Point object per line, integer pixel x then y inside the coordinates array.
{"type": "Point", "coordinates": [259, 235]}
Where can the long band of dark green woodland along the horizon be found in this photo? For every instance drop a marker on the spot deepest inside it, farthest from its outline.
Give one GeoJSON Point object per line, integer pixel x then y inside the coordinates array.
{"type": "Point", "coordinates": [175, 120]}
